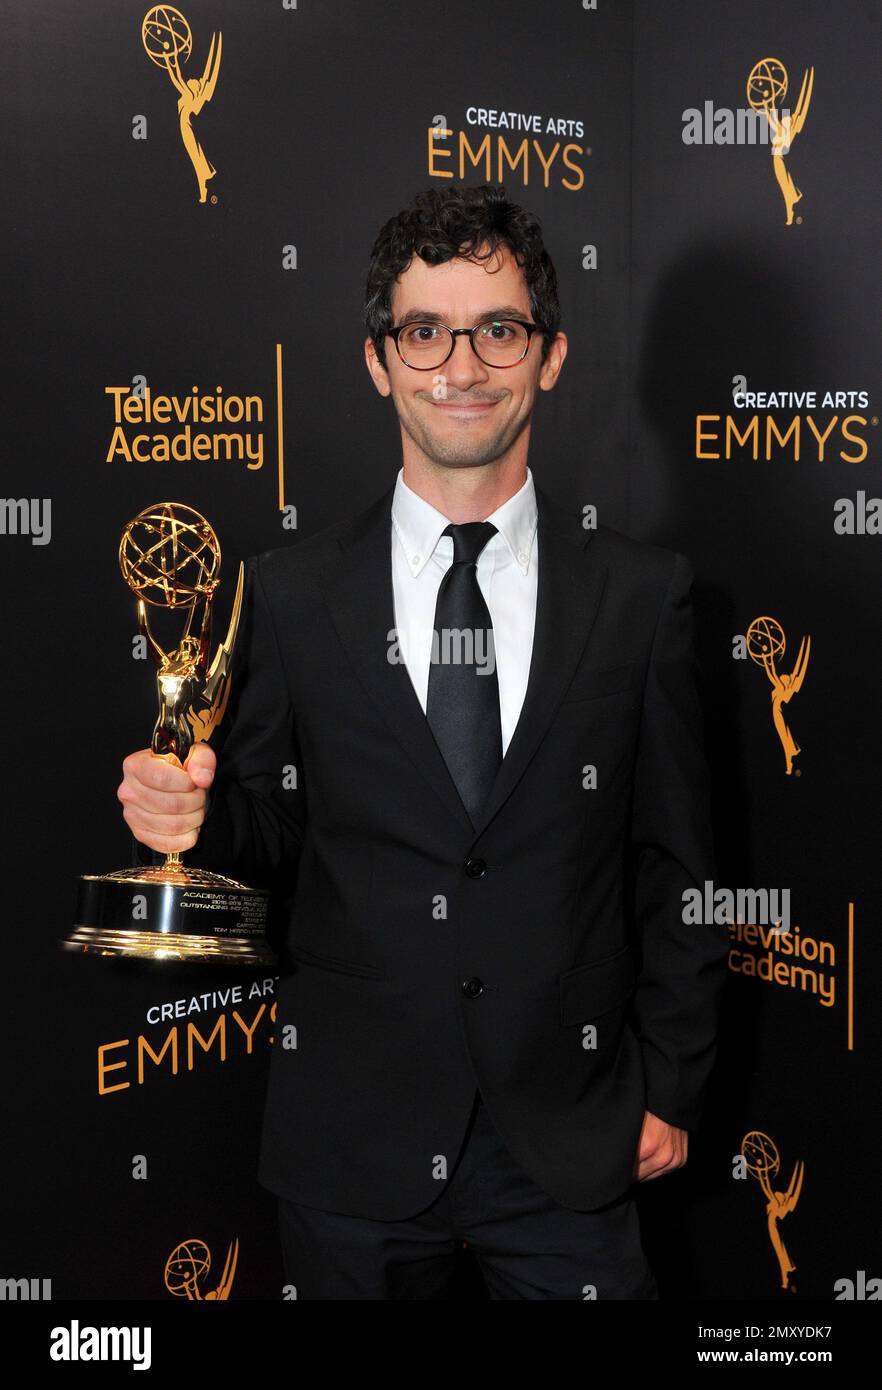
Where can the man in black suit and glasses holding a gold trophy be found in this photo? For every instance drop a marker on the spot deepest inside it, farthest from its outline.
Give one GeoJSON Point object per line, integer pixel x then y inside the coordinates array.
{"type": "Point", "coordinates": [498, 1020]}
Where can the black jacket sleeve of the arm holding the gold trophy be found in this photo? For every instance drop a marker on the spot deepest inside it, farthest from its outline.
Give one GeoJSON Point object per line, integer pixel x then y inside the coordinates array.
{"type": "Point", "coordinates": [256, 807]}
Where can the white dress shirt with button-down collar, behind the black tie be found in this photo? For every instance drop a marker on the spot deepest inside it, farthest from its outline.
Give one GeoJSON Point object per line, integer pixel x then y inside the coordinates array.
{"type": "Point", "coordinates": [508, 578]}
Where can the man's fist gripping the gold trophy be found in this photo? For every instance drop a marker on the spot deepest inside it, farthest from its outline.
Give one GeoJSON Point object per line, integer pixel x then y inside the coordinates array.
{"type": "Point", "coordinates": [163, 801]}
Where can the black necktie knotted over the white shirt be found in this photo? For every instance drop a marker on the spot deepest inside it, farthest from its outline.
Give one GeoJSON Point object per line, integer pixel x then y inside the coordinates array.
{"type": "Point", "coordinates": [463, 697]}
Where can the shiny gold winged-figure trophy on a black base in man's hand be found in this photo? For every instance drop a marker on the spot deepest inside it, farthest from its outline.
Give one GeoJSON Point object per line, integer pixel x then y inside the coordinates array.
{"type": "Point", "coordinates": [170, 557]}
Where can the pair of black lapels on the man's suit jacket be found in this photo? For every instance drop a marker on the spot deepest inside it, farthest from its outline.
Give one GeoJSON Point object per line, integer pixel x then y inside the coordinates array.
{"type": "Point", "coordinates": [362, 605]}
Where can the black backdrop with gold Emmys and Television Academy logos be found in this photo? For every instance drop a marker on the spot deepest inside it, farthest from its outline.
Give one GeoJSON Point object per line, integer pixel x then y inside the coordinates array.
{"type": "Point", "coordinates": [191, 198]}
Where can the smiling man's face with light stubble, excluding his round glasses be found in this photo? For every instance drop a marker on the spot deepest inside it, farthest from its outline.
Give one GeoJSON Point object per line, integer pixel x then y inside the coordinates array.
{"type": "Point", "coordinates": [465, 414]}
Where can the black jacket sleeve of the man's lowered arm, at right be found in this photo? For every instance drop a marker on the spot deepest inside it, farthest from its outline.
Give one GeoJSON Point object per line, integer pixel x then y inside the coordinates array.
{"type": "Point", "coordinates": [683, 967]}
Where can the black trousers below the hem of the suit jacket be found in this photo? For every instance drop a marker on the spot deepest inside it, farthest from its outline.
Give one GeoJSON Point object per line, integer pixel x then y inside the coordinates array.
{"type": "Point", "coordinates": [526, 1245]}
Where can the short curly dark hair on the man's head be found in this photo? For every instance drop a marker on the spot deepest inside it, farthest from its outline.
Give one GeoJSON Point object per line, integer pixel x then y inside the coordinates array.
{"type": "Point", "coordinates": [455, 222]}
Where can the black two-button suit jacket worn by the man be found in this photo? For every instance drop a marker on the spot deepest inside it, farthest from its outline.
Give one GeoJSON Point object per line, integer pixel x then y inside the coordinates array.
{"type": "Point", "coordinates": [540, 954]}
